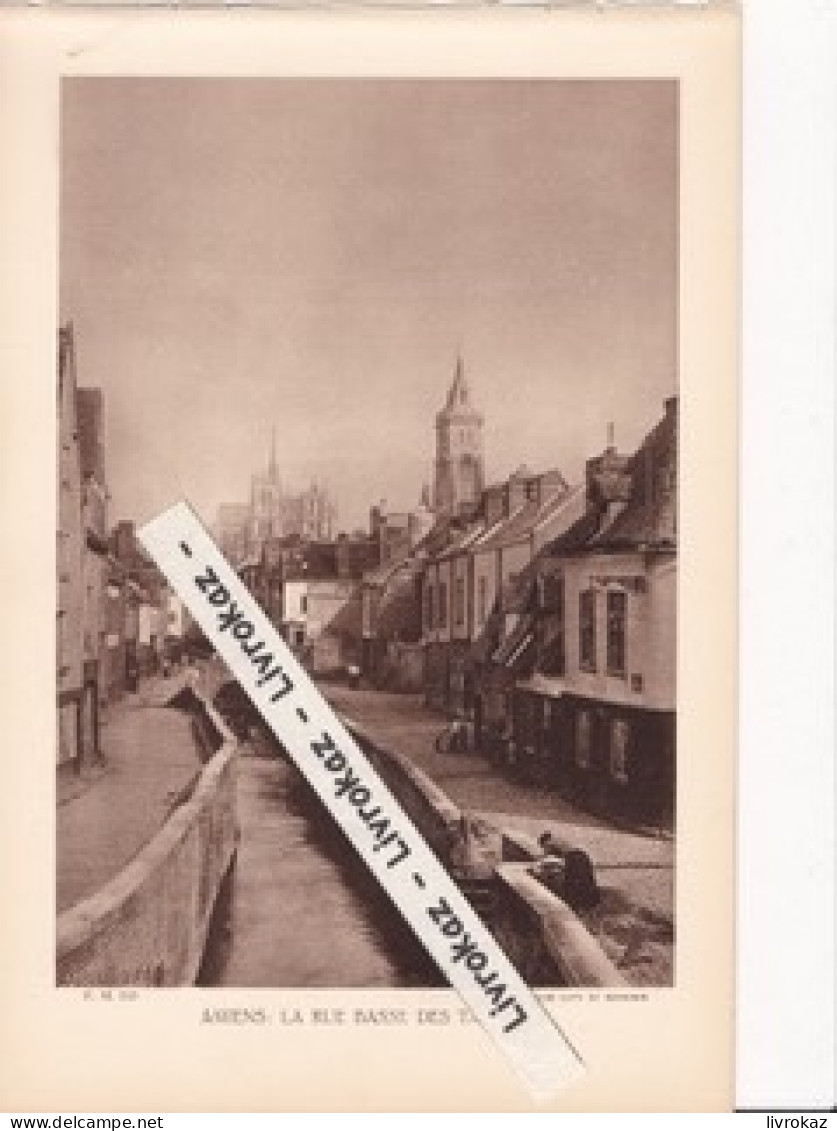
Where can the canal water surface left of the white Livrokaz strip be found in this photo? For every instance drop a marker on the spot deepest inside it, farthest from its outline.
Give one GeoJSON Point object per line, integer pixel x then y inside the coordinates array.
{"type": "Point", "coordinates": [300, 910]}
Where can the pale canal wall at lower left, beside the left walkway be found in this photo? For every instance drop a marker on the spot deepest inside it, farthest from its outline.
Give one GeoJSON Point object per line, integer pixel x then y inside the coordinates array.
{"type": "Point", "coordinates": [150, 925]}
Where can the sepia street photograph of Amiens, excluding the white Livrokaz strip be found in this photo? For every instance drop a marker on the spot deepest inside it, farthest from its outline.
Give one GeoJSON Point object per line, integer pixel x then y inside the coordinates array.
{"type": "Point", "coordinates": [411, 351]}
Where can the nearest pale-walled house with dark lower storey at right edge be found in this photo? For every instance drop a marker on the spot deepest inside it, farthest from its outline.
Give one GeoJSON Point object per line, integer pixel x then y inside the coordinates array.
{"type": "Point", "coordinates": [597, 716]}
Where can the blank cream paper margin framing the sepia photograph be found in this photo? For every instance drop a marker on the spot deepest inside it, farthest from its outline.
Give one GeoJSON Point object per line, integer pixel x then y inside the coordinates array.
{"type": "Point", "coordinates": [671, 1052]}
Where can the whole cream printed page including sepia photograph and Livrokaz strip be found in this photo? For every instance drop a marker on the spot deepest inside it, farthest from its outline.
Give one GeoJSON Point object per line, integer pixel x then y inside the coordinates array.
{"type": "Point", "coordinates": [432, 322]}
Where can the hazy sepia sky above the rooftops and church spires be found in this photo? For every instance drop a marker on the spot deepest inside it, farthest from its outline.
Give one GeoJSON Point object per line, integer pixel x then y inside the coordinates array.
{"type": "Point", "coordinates": [313, 254]}
